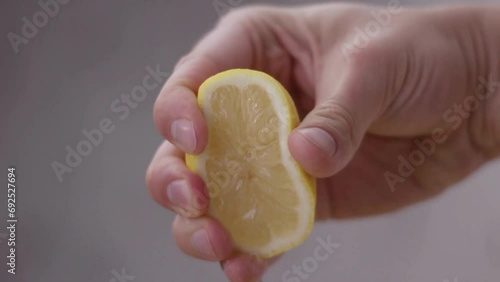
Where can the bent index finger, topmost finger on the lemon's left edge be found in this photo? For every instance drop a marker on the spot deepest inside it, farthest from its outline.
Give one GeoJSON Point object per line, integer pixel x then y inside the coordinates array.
{"type": "Point", "coordinates": [176, 112]}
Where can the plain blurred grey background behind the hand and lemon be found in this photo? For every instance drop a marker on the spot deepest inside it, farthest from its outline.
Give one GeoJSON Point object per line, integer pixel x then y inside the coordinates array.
{"type": "Point", "coordinates": [97, 222]}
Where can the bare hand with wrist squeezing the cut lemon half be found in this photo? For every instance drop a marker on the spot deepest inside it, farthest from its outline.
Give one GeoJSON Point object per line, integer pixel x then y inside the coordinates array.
{"type": "Point", "coordinates": [368, 103]}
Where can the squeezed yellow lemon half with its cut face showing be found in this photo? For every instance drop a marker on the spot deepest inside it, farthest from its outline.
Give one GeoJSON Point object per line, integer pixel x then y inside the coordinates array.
{"type": "Point", "coordinates": [258, 192]}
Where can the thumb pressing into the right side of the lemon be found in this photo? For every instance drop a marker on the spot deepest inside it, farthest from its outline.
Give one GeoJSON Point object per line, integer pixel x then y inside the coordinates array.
{"type": "Point", "coordinates": [329, 136]}
